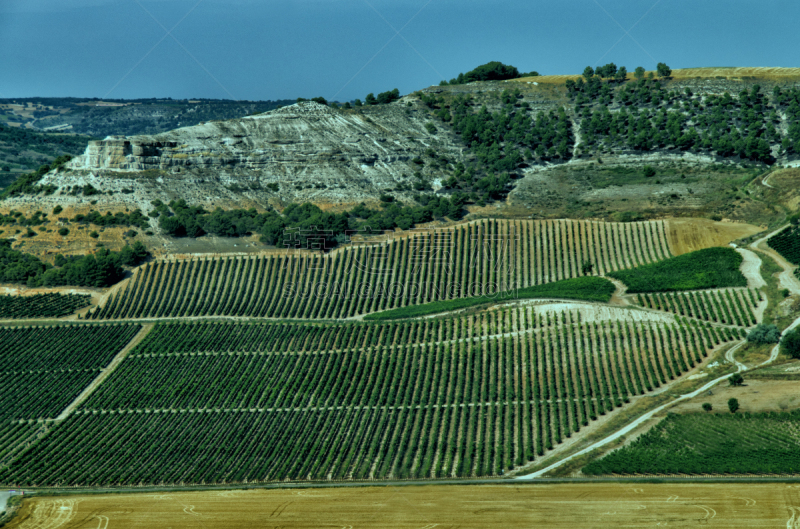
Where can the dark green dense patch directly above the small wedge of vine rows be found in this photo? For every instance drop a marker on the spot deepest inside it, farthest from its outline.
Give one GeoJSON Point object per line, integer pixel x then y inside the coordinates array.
{"type": "Point", "coordinates": [709, 268]}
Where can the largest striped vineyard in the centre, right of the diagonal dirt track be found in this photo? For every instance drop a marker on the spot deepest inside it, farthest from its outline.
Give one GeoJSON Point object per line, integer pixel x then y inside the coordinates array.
{"type": "Point", "coordinates": [469, 396]}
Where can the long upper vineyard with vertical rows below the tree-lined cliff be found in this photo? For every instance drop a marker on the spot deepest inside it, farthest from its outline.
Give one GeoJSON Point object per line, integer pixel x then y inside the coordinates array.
{"type": "Point", "coordinates": [475, 259]}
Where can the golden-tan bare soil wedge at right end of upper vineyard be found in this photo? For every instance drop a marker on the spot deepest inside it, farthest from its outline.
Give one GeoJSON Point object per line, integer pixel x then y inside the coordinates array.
{"type": "Point", "coordinates": [689, 235]}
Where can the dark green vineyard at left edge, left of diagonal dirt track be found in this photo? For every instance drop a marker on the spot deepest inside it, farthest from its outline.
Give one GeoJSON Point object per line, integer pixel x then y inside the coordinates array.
{"type": "Point", "coordinates": [44, 368]}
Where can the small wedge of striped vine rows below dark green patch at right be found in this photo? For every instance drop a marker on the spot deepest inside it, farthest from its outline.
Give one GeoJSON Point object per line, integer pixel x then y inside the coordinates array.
{"type": "Point", "coordinates": [728, 306]}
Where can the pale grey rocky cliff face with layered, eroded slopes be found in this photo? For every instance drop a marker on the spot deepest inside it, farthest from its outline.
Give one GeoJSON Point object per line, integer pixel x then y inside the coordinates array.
{"type": "Point", "coordinates": [305, 151]}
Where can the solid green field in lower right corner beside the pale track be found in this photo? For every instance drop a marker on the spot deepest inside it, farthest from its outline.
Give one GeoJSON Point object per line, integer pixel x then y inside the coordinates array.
{"type": "Point", "coordinates": [757, 443]}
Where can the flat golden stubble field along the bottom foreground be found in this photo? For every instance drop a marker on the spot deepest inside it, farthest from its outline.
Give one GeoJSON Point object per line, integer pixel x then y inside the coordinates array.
{"type": "Point", "coordinates": [599, 505]}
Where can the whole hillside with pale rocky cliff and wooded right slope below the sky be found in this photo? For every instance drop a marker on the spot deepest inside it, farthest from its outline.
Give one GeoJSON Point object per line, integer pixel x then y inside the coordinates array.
{"type": "Point", "coordinates": [541, 148]}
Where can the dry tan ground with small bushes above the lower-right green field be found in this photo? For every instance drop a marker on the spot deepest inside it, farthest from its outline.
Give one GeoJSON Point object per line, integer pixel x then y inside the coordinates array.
{"type": "Point", "coordinates": [755, 396]}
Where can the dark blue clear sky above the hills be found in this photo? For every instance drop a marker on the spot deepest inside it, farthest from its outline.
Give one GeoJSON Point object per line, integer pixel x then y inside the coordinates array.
{"type": "Point", "coordinates": [343, 49]}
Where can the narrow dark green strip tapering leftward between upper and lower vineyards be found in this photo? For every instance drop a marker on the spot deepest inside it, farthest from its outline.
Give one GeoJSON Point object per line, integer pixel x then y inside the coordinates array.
{"type": "Point", "coordinates": [582, 288]}
